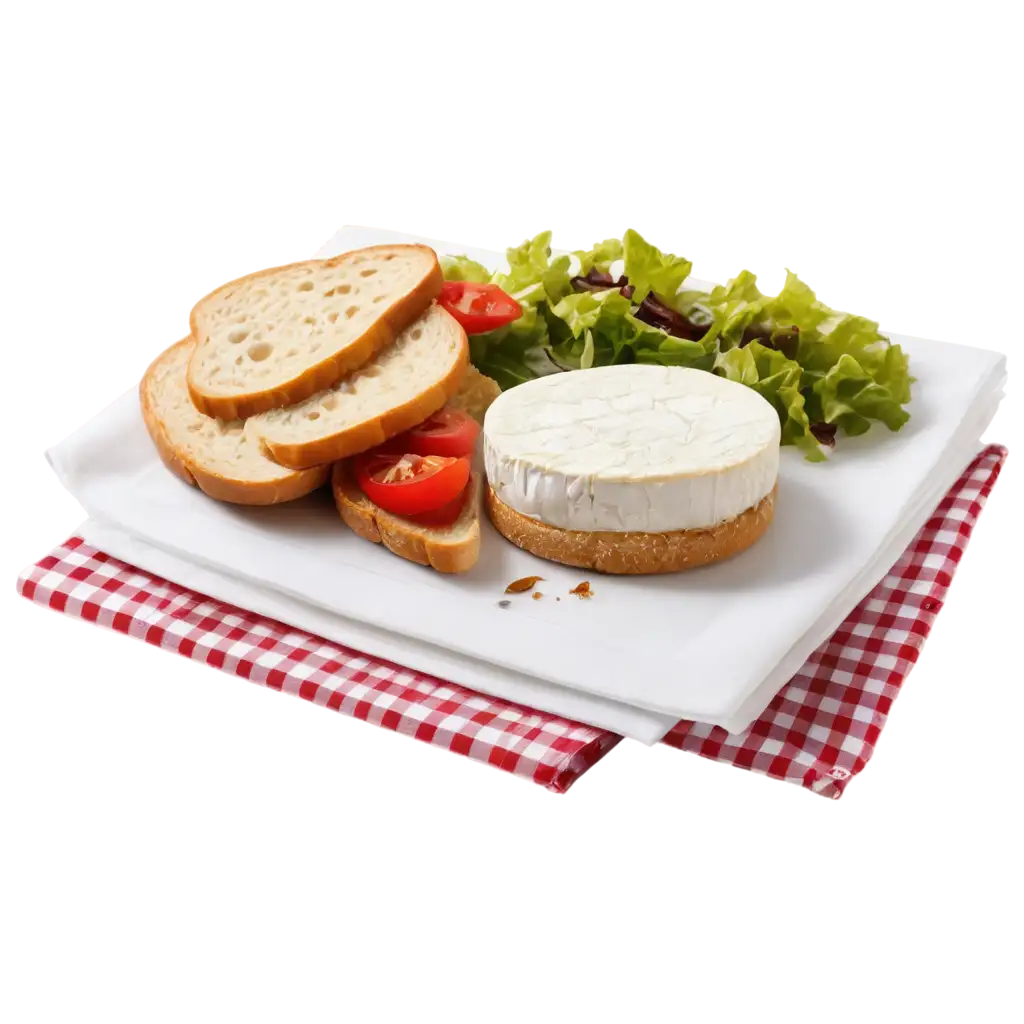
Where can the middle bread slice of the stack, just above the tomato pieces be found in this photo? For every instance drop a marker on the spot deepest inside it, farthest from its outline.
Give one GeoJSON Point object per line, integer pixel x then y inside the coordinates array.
{"type": "Point", "coordinates": [407, 383]}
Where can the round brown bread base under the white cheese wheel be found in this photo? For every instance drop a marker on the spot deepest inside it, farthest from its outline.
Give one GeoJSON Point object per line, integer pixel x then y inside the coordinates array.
{"type": "Point", "coordinates": [632, 553]}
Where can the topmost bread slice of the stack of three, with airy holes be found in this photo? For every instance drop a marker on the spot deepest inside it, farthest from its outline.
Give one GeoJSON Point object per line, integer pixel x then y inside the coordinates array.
{"type": "Point", "coordinates": [277, 337]}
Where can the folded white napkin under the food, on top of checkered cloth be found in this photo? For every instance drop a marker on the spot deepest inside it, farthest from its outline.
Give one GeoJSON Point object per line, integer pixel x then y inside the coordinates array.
{"type": "Point", "coordinates": [713, 646]}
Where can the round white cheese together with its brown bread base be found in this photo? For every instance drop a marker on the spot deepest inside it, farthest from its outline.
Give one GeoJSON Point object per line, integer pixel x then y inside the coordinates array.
{"type": "Point", "coordinates": [632, 470]}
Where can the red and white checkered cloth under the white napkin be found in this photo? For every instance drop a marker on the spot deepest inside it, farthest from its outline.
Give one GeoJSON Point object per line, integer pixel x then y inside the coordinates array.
{"type": "Point", "coordinates": [818, 735]}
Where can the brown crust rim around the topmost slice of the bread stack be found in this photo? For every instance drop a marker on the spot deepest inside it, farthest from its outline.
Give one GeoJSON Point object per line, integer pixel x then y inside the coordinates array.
{"type": "Point", "coordinates": [335, 366]}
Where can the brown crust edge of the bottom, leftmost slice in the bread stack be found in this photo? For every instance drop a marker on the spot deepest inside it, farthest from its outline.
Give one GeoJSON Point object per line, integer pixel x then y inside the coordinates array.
{"type": "Point", "coordinates": [237, 492]}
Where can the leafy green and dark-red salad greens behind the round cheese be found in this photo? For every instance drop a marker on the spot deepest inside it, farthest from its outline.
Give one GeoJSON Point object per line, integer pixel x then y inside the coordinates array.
{"type": "Point", "coordinates": [825, 372]}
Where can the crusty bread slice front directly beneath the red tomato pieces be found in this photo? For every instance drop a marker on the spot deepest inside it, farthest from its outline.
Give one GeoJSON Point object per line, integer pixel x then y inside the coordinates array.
{"type": "Point", "coordinates": [452, 550]}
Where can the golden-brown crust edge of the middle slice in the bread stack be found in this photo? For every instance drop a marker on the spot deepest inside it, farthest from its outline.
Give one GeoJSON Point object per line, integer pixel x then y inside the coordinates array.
{"type": "Point", "coordinates": [363, 437]}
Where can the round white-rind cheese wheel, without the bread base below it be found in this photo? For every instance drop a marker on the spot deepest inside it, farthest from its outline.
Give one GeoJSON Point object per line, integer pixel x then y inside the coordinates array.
{"type": "Point", "coordinates": [631, 448]}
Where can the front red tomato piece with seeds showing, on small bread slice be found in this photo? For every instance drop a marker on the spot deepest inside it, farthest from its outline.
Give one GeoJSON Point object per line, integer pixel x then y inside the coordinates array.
{"type": "Point", "coordinates": [408, 484]}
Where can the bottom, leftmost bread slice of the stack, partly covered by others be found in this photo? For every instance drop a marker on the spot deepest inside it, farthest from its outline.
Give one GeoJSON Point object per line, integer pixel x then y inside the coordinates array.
{"type": "Point", "coordinates": [214, 455]}
